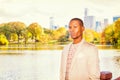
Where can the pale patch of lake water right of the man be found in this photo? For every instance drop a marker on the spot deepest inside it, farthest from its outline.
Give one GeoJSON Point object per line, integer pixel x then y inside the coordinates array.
{"type": "Point", "coordinates": [108, 62]}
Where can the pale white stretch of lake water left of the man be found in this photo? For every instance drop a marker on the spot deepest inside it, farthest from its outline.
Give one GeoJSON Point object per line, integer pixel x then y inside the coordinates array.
{"type": "Point", "coordinates": [31, 65]}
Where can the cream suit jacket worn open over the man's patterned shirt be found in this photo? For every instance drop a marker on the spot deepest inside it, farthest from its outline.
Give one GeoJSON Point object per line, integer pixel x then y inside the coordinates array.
{"type": "Point", "coordinates": [84, 65]}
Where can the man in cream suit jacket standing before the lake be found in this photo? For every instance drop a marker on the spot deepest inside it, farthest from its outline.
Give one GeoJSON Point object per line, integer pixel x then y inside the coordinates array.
{"type": "Point", "coordinates": [79, 59]}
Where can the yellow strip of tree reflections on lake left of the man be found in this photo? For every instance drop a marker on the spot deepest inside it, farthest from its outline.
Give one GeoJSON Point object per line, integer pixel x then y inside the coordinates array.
{"type": "Point", "coordinates": [32, 47]}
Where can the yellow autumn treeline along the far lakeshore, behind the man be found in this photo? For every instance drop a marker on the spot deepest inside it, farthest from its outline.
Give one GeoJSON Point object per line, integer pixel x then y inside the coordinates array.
{"type": "Point", "coordinates": [18, 32]}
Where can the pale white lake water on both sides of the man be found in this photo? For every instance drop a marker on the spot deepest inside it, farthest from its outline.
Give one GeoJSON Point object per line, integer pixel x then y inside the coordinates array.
{"type": "Point", "coordinates": [45, 64]}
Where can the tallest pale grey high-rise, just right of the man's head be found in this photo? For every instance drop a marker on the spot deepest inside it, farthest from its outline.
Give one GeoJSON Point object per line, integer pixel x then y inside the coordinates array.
{"type": "Point", "coordinates": [89, 21]}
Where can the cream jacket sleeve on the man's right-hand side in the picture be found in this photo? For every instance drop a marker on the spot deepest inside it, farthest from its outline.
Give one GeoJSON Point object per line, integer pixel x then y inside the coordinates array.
{"type": "Point", "coordinates": [93, 64]}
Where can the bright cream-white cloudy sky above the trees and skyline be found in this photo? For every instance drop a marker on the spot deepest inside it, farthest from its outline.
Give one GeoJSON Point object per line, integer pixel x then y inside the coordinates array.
{"type": "Point", "coordinates": [29, 11]}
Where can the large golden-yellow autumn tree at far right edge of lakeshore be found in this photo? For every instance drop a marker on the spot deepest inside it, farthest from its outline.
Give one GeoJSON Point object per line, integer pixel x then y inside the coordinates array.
{"type": "Point", "coordinates": [112, 33]}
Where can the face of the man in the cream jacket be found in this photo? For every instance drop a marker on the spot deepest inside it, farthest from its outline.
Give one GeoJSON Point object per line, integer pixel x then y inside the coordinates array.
{"type": "Point", "coordinates": [75, 29]}
